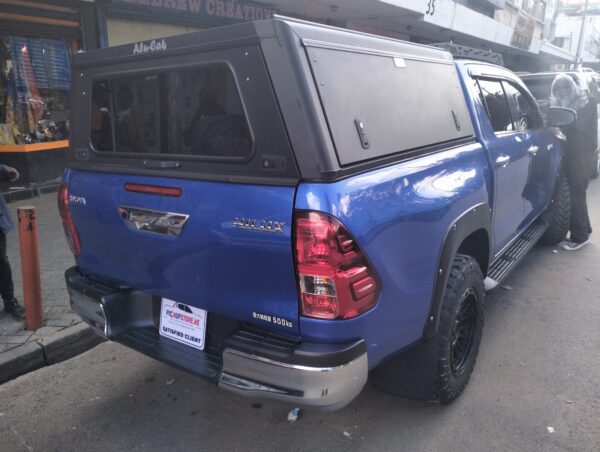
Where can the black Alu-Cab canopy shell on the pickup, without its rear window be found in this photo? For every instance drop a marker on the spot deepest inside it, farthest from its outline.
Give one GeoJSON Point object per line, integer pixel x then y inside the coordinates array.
{"type": "Point", "coordinates": [416, 85]}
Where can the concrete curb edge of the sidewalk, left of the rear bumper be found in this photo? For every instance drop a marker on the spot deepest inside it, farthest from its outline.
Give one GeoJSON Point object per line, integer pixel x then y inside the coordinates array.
{"type": "Point", "coordinates": [48, 350]}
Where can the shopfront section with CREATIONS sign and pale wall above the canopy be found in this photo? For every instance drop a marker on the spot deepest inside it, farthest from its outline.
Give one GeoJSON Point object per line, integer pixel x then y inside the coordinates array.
{"type": "Point", "coordinates": [126, 21]}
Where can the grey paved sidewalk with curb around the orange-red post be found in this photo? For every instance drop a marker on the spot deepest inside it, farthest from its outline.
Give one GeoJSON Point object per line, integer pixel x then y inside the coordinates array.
{"type": "Point", "coordinates": [63, 334]}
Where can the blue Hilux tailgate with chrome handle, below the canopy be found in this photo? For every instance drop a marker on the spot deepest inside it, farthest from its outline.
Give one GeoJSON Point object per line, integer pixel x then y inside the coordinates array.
{"type": "Point", "coordinates": [233, 255]}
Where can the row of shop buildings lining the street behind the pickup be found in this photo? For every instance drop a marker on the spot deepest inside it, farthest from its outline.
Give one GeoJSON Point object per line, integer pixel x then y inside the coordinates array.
{"type": "Point", "coordinates": [530, 35]}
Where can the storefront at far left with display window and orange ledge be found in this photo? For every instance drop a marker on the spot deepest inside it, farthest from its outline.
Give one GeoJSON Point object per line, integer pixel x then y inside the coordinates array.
{"type": "Point", "coordinates": [37, 39]}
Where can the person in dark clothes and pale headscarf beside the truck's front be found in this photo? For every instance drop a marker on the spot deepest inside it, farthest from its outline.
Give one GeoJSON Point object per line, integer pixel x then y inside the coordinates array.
{"type": "Point", "coordinates": [579, 154]}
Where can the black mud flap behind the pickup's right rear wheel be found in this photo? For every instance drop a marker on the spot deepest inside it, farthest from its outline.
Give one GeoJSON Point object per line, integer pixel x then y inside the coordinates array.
{"type": "Point", "coordinates": [410, 374]}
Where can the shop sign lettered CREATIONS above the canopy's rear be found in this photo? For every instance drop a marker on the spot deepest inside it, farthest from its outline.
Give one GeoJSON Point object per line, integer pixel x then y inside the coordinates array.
{"type": "Point", "coordinates": [233, 10]}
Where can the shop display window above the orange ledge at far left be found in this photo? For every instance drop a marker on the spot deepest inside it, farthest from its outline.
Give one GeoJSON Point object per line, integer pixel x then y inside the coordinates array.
{"type": "Point", "coordinates": [34, 86]}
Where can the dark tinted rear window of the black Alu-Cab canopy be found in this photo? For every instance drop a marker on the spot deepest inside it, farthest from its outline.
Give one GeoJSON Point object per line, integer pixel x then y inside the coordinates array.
{"type": "Point", "coordinates": [195, 112]}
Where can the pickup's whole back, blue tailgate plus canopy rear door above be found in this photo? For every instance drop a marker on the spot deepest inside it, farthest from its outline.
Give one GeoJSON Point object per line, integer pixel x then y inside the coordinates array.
{"type": "Point", "coordinates": [201, 118]}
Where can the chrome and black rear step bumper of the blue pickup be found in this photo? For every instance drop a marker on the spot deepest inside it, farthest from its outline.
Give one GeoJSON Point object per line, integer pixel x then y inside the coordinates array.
{"type": "Point", "coordinates": [248, 362]}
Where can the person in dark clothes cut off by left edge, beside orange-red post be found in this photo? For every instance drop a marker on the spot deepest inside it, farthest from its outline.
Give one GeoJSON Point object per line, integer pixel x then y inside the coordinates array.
{"type": "Point", "coordinates": [7, 289]}
